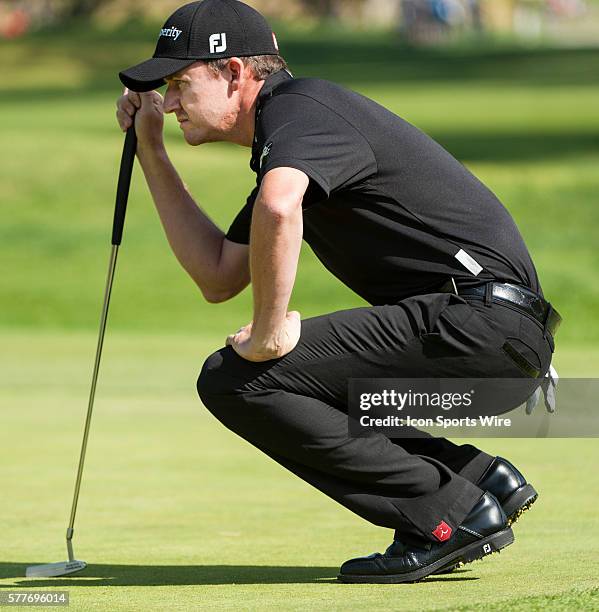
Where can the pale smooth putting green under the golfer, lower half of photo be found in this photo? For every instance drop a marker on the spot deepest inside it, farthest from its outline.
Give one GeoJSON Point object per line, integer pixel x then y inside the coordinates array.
{"type": "Point", "coordinates": [178, 513]}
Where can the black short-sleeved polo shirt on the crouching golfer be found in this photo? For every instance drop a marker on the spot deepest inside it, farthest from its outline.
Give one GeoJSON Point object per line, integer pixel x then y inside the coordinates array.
{"type": "Point", "coordinates": [388, 211]}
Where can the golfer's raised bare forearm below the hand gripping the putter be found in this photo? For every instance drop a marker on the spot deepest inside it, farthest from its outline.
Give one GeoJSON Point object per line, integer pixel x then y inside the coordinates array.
{"type": "Point", "coordinates": [195, 240]}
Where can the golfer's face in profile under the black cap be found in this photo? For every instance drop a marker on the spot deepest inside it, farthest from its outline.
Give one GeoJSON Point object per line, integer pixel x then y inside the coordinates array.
{"type": "Point", "coordinates": [203, 103]}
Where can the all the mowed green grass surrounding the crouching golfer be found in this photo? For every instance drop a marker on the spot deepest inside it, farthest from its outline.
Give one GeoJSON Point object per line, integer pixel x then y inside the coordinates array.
{"type": "Point", "coordinates": [176, 512]}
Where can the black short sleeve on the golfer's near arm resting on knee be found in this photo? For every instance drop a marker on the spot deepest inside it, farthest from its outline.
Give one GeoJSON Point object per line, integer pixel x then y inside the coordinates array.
{"type": "Point", "coordinates": [300, 132]}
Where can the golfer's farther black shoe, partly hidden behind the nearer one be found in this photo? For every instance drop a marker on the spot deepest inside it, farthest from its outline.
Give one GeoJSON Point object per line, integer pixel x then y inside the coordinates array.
{"type": "Point", "coordinates": [510, 488]}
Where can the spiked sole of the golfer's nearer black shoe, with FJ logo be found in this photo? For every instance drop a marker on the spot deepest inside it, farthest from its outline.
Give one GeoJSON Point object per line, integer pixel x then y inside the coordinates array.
{"type": "Point", "coordinates": [466, 554]}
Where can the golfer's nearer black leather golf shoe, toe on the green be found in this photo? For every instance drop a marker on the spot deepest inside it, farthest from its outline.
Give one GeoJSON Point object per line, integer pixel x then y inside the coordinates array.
{"type": "Point", "coordinates": [483, 531]}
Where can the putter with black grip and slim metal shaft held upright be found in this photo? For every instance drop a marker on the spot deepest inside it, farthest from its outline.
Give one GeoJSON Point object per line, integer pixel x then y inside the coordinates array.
{"type": "Point", "coordinates": [73, 565]}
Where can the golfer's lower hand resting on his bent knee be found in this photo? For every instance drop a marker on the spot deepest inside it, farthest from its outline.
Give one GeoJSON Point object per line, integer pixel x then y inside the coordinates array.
{"type": "Point", "coordinates": [264, 349]}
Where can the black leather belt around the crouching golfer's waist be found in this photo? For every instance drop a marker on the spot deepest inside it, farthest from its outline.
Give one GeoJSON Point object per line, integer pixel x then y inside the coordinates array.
{"type": "Point", "coordinates": [521, 298]}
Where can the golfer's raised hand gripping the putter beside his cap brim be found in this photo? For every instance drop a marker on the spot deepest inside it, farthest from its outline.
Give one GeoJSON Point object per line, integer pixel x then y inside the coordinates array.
{"type": "Point", "coordinates": [146, 110]}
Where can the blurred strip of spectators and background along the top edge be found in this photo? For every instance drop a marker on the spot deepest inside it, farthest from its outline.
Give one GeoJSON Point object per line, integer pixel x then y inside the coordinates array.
{"type": "Point", "coordinates": [419, 21]}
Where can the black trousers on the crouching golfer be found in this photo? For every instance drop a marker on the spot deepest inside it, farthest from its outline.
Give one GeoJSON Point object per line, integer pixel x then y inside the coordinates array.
{"type": "Point", "coordinates": [294, 409]}
